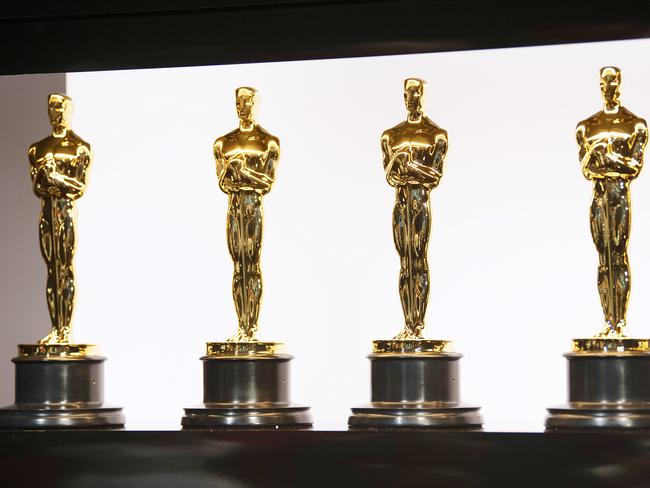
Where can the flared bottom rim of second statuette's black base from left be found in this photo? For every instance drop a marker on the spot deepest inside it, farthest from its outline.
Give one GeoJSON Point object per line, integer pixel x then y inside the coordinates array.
{"type": "Point", "coordinates": [254, 417]}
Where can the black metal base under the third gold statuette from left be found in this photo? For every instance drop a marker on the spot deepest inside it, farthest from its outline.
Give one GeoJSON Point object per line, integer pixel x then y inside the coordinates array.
{"type": "Point", "coordinates": [415, 391]}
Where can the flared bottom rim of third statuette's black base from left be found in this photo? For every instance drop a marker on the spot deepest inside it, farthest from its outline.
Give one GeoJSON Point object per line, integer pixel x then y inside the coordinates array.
{"type": "Point", "coordinates": [415, 416]}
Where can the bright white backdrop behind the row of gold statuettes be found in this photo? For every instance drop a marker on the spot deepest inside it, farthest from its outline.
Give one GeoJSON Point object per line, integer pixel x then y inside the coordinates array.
{"type": "Point", "coordinates": [513, 268]}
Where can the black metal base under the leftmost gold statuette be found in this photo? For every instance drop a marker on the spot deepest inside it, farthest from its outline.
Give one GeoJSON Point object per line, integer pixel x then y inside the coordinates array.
{"type": "Point", "coordinates": [61, 393]}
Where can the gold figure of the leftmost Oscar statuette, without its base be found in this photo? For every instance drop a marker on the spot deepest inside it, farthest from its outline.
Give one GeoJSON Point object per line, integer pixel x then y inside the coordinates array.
{"type": "Point", "coordinates": [59, 164]}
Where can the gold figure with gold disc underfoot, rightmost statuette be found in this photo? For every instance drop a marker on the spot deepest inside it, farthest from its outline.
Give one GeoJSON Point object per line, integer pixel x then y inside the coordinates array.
{"type": "Point", "coordinates": [611, 146]}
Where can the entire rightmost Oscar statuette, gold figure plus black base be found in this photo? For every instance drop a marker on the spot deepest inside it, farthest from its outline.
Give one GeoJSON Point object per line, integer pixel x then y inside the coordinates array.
{"type": "Point", "coordinates": [609, 374]}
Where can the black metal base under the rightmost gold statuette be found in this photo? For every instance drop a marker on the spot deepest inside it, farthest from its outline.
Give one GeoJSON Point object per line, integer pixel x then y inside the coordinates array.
{"type": "Point", "coordinates": [606, 391]}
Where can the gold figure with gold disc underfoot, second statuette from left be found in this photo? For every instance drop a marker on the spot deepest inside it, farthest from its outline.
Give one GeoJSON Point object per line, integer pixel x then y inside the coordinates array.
{"type": "Point", "coordinates": [246, 159]}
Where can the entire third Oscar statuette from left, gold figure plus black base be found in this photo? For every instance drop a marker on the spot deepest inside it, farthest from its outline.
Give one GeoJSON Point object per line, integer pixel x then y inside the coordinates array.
{"type": "Point", "coordinates": [414, 381]}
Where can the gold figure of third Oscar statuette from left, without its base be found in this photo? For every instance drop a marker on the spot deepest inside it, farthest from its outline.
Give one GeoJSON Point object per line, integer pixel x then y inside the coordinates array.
{"type": "Point", "coordinates": [413, 156]}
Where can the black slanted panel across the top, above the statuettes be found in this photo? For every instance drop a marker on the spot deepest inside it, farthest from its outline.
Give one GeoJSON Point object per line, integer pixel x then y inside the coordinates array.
{"type": "Point", "coordinates": [76, 36]}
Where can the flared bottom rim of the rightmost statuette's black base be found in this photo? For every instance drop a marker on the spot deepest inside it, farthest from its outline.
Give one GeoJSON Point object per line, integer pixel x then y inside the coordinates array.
{"type": "Point", "coordinates": [593, 416]}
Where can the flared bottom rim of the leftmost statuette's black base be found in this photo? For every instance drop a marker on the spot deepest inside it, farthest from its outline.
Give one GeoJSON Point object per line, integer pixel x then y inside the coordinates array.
{"type": "Point", "coordinates": [34, 418]}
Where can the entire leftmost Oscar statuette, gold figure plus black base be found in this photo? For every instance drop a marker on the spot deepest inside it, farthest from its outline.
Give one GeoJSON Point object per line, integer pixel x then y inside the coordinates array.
{"type": "Point", "coordinates": [59, 383]}
